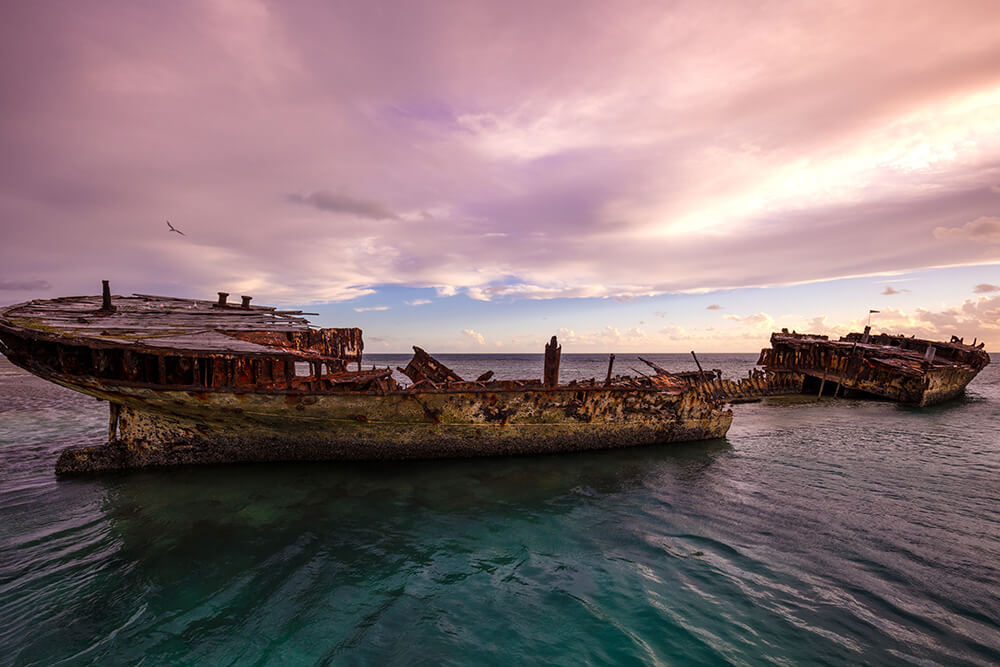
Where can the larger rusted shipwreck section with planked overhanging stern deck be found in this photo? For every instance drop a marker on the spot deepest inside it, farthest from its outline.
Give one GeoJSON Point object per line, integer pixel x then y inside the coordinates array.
{"type": "Point", "coordinates": [193, 381]}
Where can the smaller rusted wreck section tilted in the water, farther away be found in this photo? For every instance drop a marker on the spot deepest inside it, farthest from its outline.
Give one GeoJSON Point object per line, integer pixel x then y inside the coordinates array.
{"type": "Point", "coordinates": [910, 370]}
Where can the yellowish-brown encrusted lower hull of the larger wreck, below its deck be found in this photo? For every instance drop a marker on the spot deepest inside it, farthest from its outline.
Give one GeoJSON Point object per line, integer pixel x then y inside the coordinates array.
{"type": "Point", "coordinates": [156, 428]}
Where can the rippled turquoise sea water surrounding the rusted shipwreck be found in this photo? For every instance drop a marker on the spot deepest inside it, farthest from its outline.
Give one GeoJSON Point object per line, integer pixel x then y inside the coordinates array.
{"type": "Point", "coordinates": [839, 532]}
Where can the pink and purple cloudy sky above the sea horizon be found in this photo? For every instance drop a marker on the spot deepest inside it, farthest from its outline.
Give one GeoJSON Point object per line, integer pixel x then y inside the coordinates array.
{"type": "Point", "coordinates": [478, 176]}
